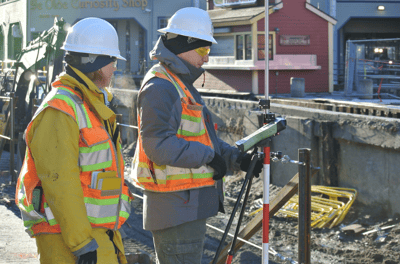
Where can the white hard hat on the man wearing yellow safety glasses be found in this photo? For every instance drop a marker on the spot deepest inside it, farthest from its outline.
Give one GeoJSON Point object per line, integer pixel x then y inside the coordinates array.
{"type": "Point", "coordinates": [191, 22]}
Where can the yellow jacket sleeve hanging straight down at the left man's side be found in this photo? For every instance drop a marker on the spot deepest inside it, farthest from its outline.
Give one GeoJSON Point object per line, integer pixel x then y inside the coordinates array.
{"type": "Point", "coordinates": [54, 144]}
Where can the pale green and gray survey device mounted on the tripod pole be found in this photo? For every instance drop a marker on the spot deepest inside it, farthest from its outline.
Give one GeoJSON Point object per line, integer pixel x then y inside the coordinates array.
{"type": "Point", "coordinates": [267, 131]}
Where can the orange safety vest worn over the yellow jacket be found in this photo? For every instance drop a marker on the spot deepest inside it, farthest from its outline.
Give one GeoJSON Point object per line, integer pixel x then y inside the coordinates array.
{"type": "Point", "coordinates": [97, 153]}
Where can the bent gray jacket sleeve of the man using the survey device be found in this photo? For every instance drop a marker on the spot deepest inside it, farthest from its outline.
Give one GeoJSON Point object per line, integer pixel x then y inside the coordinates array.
{"type": "Point", "coordinates": [160, 111]}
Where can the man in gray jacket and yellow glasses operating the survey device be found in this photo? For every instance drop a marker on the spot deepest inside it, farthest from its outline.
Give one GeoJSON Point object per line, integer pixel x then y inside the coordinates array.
{"type": "Point", "coordinates": [179, 160]}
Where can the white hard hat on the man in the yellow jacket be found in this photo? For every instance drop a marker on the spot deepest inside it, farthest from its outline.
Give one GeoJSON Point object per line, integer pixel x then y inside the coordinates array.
{"type": "Point", "coordinates": [93, 36]}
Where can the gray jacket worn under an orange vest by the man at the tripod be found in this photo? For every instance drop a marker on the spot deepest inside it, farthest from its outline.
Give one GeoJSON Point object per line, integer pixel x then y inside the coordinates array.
{"type": "Point", "coordinates": [160, 108]}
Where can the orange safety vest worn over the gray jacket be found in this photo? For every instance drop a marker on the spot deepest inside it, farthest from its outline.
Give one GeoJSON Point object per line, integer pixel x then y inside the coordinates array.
{"type": "Point", "coordinates": [165, 178]}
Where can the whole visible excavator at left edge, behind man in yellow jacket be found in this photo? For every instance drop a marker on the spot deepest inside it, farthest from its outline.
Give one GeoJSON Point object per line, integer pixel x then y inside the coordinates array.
{"type": "Point", "coordinates": [30, 80]}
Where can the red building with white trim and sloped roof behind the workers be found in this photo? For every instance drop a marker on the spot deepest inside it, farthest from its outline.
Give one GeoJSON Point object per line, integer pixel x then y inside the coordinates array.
{"type": "Point", "coordinates": [300, 46]}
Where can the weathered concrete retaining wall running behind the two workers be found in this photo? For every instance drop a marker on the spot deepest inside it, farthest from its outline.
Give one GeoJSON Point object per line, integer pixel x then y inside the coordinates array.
{"type": "Point", "coordinates": [353, 151]}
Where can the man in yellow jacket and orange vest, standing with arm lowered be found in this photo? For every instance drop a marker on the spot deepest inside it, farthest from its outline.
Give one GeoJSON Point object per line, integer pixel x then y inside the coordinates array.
{"type": "Point", "coordinates": [71, 189]}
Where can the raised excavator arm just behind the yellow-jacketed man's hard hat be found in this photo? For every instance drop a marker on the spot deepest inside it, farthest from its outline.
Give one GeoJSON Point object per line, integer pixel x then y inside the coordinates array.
{"type": "Point", "coordinates": [30, 81]}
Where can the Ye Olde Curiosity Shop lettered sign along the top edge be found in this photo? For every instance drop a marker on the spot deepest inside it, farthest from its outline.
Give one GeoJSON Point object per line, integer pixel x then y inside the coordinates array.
{"type": "Point", "coordinates": [78, 4]}
